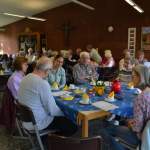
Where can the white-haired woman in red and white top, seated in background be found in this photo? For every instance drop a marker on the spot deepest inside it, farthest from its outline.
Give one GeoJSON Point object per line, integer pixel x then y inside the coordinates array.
{"type": "Point", "coordinates": [108, 60]}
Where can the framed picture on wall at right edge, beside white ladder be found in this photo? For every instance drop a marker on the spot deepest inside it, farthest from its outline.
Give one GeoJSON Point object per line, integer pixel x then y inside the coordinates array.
{"type": "Point", "coordinates": [145, 38]}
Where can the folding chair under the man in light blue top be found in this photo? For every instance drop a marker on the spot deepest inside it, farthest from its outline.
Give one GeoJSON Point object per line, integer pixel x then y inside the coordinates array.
{"type": "Point", "coordinates": [25, 114]}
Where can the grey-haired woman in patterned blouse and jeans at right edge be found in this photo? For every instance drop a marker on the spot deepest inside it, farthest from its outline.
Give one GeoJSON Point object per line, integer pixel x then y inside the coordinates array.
{"type": "Point", "coordinates": [131, 134]}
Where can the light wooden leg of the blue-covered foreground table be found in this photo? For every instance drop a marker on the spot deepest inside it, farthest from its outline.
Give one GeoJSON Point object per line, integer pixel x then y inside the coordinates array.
{"type": "Point", "coordinates": [85, 127]}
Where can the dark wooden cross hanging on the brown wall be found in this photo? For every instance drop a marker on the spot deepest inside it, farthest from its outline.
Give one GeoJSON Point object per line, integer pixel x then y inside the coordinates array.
{"type": "Point", "coordinates": [67, 28]}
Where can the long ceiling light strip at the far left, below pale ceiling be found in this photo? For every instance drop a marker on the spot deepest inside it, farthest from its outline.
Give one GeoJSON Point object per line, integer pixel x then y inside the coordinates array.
{"type": "Point", "coordinates": [21, 16]}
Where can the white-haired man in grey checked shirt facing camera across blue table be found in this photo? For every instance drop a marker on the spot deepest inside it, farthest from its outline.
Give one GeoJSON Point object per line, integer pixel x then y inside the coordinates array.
{"type": "Point", "coordinates": [83, 72]}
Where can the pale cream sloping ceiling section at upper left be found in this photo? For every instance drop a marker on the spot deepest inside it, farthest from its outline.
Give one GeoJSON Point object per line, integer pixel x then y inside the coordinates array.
{"type": "Point", "coordinates": [26, 8]}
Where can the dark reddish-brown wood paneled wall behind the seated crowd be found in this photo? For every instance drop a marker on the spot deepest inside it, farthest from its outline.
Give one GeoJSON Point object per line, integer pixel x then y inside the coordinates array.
{"type": "Point", "coordinates": [89, 26]}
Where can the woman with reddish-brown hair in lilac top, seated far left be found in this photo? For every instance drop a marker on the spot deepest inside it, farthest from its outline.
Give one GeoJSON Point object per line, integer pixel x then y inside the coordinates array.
{"type": "Point", "coordinates": [20, 66]}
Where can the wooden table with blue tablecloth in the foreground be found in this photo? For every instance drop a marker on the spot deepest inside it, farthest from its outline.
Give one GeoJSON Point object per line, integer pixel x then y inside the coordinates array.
{"type": "Point", "coordinates": [82, 114]}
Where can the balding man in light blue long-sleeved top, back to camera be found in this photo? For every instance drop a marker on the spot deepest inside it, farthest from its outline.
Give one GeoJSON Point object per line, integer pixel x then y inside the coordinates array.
{"type": "Point", "coordinates": [35, 93]}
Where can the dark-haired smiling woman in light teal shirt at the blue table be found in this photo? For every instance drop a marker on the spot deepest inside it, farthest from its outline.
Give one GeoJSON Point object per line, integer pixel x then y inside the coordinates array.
{"type": "Point", "coordinates": [57, 74]}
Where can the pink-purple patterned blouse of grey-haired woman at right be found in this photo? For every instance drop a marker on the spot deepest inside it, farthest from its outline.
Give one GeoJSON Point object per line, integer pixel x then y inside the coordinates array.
{"type": "Point", "coordinates": [141, 111]}
